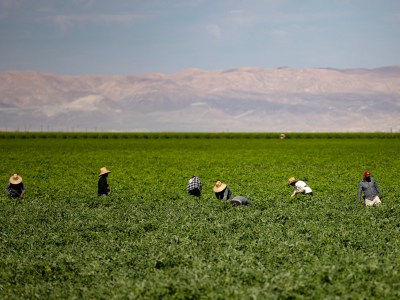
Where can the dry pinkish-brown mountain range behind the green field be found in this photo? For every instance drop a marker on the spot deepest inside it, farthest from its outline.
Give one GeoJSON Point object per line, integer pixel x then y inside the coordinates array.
{"type": "Point", "coordinates": [244, 99]}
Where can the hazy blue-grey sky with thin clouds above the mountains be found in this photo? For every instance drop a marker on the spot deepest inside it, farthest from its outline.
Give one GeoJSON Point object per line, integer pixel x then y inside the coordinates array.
{"type": "Point", "coordinates": [125, 37]}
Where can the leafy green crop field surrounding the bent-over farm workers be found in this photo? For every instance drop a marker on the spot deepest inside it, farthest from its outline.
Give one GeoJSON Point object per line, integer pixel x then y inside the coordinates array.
{"type": "Point", "coordinates": [150, 240]}
